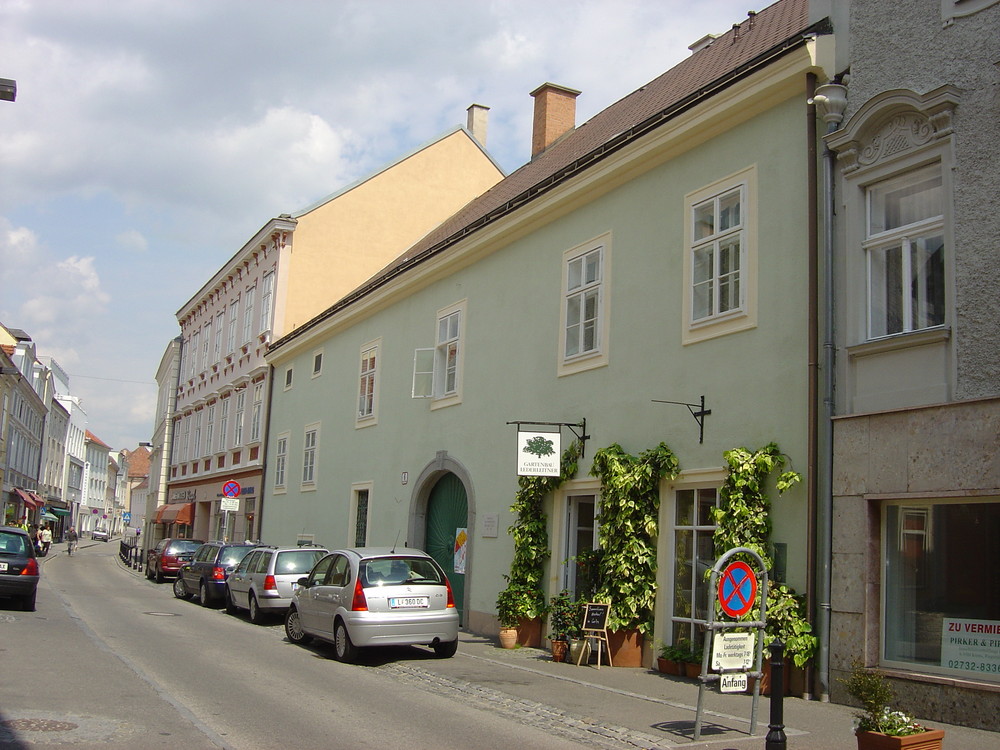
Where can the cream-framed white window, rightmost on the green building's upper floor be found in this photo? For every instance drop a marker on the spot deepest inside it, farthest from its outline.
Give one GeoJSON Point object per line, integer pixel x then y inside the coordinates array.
{"type": "Point", "coordinates": [743, 314]}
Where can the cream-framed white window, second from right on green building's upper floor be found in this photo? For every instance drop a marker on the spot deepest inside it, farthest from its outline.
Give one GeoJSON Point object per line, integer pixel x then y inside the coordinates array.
{"type": "Point", "coordinates": [576, 287]}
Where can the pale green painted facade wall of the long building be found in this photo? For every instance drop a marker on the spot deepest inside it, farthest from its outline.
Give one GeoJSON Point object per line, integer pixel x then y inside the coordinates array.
{"type": "Point", "coordinates": [754, 381]}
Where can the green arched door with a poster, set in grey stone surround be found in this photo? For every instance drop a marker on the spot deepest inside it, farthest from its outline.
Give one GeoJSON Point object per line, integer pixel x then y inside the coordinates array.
{"type": "Point", "coordinates": [447, 532]}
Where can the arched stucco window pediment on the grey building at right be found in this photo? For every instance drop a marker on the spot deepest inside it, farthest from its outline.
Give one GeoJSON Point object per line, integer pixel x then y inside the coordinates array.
{"type": "Point", "coordinates": [892, 125]}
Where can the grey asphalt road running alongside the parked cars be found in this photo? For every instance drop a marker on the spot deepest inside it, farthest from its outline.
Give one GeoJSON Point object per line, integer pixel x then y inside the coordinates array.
{"type": "Point", "coordinates": [112, 660]}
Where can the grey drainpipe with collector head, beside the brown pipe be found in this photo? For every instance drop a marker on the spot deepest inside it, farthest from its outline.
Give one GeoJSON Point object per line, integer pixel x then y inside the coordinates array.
{"type": "Point", "coordinates": [831, 100]}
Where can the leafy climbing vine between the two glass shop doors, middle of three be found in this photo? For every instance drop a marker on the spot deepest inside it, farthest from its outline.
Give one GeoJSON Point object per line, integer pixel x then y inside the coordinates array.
{"type": "Point", "coordinates": [630, 502]}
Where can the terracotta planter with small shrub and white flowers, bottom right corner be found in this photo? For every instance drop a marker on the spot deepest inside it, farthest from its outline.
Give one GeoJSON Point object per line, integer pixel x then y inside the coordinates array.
{"type": "Point", "coordinates": [878, 726]}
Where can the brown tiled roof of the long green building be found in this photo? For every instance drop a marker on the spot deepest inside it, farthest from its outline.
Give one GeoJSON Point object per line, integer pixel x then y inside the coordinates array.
{"type": "Point", "coordinates": [757, 39]}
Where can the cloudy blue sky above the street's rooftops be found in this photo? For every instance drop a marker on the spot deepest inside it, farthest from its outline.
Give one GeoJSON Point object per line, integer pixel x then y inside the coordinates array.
{"type": "Point", "coordinates": [150, 139]}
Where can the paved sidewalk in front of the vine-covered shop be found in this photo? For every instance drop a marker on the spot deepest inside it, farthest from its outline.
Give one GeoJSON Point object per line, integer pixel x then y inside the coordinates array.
{"type": "Point", "coordinates": [645, 709]}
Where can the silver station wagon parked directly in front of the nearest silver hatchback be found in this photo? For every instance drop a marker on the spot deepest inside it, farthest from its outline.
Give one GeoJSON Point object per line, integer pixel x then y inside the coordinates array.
{"type": "Point", "coordinates": [264, 580]}
